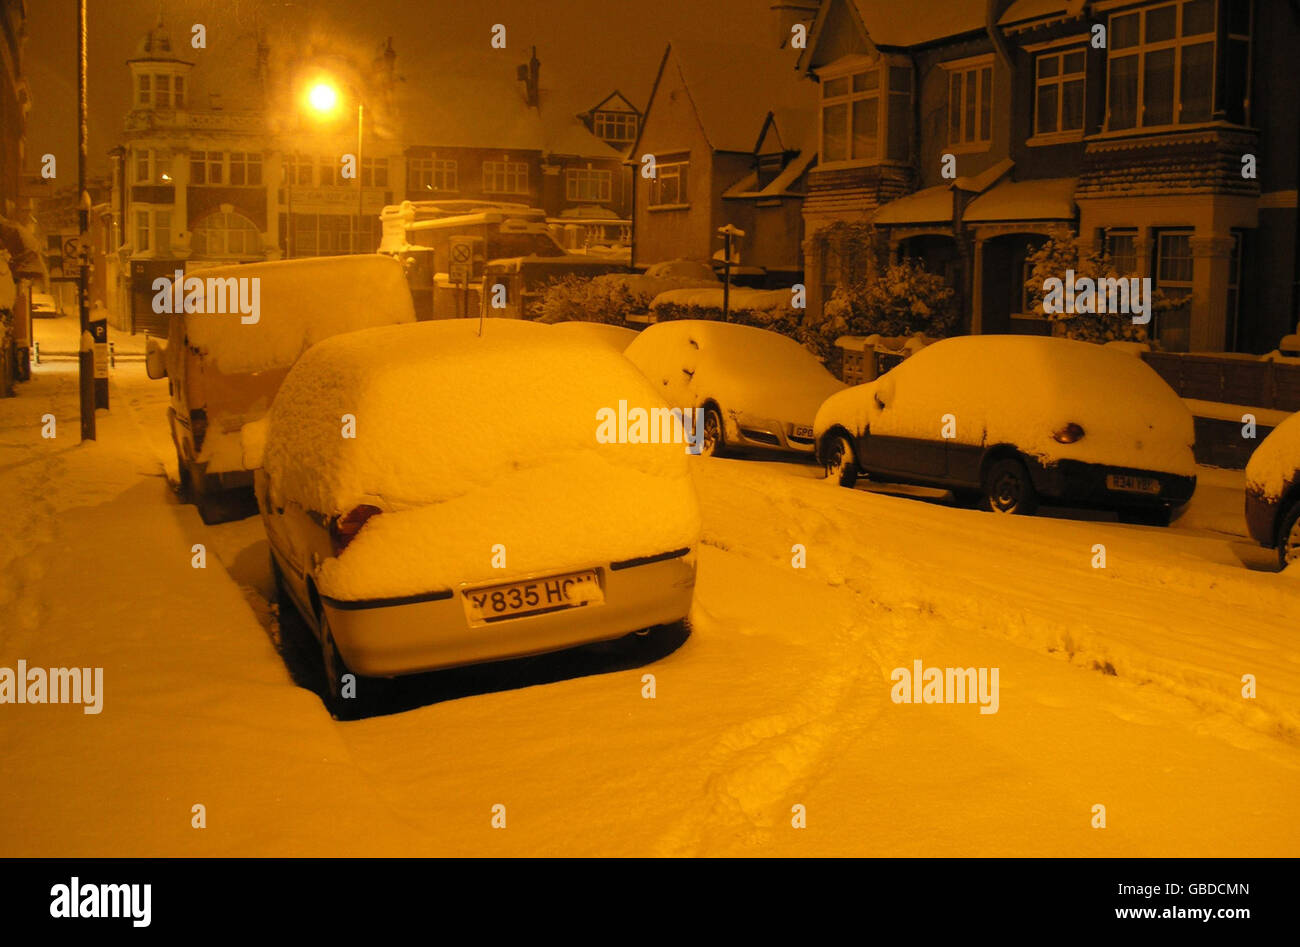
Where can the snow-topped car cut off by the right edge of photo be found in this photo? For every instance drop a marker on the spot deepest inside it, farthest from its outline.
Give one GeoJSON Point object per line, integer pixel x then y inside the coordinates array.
{"type": "Point", "coordinates": [1273, 492]}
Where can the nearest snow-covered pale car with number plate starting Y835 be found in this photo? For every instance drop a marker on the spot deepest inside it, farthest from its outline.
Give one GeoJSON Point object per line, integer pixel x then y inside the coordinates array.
{"type": "Point", "coordinates": [473, 512]}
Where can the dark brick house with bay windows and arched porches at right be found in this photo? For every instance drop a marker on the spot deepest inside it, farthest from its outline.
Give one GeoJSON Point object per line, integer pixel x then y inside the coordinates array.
{"type": "Point", "coordinates": [1139, 145]}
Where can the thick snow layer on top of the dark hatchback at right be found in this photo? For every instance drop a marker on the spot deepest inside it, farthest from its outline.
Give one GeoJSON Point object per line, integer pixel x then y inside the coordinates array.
{"type": "Point", "coordinates": [1019, 390]}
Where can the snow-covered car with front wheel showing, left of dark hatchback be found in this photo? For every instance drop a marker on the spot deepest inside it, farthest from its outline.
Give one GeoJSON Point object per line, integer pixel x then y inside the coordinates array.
{"type": "Point", "coordinates": [757, 390]}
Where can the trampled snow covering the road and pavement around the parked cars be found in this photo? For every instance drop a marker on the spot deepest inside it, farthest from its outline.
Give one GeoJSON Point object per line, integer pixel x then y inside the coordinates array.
{"type": "Point", "coordinates": [1119, 686]}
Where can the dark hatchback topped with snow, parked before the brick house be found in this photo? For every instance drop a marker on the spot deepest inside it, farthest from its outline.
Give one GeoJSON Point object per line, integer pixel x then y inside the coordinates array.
{"type": "Point", "coordinates": [1013, 420]}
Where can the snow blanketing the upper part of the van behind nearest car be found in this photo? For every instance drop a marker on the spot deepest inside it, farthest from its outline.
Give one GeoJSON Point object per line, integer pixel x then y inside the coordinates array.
{"type": "Point", "coordinates": [301, 304]}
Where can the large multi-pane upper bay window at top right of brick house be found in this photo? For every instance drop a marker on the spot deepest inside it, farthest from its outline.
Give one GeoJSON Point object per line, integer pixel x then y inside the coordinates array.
{"type": "Point", "coordinates": [1162, 66]}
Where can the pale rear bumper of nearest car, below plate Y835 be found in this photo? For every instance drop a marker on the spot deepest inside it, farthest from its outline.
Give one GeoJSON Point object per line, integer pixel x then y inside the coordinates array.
{"type": "Point", "coordinates": [384, 638]}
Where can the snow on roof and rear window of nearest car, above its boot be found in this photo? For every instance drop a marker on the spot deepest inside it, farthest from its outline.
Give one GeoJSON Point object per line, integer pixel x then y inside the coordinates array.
{"type": "Point", "coordinates": [441, 412]}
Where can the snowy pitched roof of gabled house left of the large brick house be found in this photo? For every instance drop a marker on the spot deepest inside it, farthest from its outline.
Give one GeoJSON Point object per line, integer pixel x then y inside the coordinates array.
{"type": "Point", "coordinates": [735, 89]}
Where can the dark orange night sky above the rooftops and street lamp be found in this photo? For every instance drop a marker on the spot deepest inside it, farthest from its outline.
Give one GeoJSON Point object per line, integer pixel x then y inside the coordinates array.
{"type": "Point", "coordinates": [597, 45]}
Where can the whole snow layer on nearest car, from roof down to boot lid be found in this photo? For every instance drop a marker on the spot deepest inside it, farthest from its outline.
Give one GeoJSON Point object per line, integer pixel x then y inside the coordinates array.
{"type": "Point", "coordinates": [467, 442]}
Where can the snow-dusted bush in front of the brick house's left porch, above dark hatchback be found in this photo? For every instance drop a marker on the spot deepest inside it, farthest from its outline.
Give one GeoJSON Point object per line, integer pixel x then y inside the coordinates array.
{"type": "Point", "coordinates": [902, 300]}
